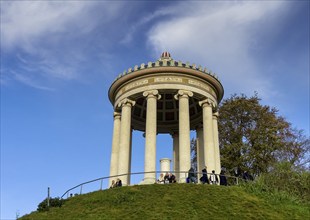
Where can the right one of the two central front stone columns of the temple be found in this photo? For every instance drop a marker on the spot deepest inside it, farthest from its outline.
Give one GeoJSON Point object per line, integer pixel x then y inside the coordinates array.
{"type": "Point", "coordinates": [184, 133]}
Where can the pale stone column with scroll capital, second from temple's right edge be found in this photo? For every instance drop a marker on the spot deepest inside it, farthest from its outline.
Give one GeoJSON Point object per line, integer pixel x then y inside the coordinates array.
{"type": "Point", "coordinates": [208, 142]}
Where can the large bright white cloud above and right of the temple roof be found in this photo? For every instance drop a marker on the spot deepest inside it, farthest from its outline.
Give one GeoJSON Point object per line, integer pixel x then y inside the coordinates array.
{"type": "Point", "coordinates": [221, 36]}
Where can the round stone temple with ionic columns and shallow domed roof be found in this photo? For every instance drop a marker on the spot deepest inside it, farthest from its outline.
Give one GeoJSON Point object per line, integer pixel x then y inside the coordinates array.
{"type": "Point", "coordinates": [166, 96]}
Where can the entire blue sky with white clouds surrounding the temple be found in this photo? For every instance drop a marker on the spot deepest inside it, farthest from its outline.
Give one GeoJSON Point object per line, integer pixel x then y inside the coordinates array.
{"type": "Point", "coordinates": [58, 59]}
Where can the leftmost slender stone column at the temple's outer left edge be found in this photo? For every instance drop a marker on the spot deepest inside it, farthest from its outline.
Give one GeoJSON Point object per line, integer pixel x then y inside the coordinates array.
{"type": "Point", "coordinates": [115, 146]}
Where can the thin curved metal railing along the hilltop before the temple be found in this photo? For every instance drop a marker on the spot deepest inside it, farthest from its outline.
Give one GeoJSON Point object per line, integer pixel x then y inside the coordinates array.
{"type": "Point", "coordinates": [231, 180]}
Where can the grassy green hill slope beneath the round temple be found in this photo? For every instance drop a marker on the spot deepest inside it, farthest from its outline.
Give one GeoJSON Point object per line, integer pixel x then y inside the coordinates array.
{"type": "Point", "coordinates": [175, 201]}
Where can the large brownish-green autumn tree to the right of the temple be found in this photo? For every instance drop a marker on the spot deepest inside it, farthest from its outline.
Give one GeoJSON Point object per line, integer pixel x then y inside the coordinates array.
{"type": "Point", "coordinates": [253, 137]}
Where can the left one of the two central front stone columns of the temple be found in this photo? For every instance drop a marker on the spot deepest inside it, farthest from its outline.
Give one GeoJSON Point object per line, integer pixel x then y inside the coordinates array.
{"type": "Point", "coordinates": [150, 136]}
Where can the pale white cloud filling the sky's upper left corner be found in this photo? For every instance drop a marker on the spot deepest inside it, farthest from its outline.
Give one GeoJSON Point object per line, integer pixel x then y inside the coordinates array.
{"type": "Point", "coordinates": [26, 23]}
